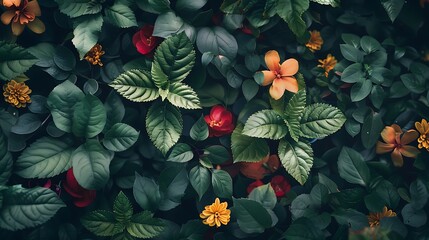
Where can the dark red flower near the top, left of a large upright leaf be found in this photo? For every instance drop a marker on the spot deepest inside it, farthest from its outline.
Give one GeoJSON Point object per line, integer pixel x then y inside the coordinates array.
{"type": "Point", "coordinates": [144, 41]}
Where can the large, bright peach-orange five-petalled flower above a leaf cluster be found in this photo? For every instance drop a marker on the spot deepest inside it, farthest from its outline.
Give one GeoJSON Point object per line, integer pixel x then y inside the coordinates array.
{"type": "Point", "coordinates": [281, 76]}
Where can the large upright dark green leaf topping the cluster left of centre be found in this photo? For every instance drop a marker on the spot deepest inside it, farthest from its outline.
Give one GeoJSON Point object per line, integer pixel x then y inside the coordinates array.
{"type": "Point", "coordinates": [173, 60]}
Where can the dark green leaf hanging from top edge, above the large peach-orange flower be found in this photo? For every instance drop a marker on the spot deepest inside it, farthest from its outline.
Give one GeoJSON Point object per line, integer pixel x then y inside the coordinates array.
{"type": "Point", "coordinates": [291, 12]}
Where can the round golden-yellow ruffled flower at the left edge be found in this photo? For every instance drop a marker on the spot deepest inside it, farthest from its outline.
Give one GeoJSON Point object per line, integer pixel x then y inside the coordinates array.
{"type": "Point", "coordinates": [17, 94]}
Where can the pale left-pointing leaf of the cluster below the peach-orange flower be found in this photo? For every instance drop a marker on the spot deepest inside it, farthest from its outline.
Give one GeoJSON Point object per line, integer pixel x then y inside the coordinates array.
{"type": "Point", "coordinates": [265, 124]}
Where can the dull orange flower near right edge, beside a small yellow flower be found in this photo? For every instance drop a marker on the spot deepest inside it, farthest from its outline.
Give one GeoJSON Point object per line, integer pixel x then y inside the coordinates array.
{"type": "Point", "coordinates": [396, 141]}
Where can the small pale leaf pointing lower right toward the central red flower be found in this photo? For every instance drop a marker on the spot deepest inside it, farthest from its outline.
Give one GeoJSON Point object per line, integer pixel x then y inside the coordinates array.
{"type": "Point", "coordinates": [183, 96]}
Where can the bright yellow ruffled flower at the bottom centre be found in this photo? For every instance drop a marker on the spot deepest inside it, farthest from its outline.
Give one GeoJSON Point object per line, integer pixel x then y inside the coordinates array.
{"type": "Point", "coordinates": [216, 214]}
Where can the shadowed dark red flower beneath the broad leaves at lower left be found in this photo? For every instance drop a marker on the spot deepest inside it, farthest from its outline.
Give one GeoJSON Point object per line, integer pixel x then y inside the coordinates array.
{"type": "Point", "coordinates": [81, 197]}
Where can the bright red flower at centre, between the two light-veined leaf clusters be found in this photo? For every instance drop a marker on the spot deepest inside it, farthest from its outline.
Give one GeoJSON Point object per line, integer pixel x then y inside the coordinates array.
{"type": "Point", "coordinates": [219, 121]}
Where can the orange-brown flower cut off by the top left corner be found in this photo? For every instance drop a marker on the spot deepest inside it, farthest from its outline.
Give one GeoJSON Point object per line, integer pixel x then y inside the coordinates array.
{"type": "Point", "coordinates": [21, 13]}
